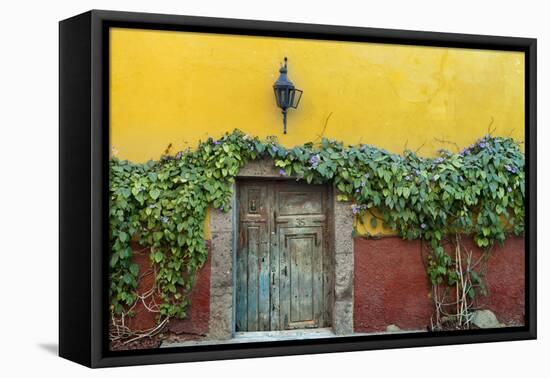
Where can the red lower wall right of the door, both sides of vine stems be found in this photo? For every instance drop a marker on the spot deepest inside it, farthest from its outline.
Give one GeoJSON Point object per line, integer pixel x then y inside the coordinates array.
{"type": "Point", "coordinates": [391, 286]}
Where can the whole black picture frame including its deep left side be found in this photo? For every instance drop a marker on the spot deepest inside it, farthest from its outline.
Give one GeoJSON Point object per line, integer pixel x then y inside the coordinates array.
{"type": "Point", "coordinates": [83, 180]}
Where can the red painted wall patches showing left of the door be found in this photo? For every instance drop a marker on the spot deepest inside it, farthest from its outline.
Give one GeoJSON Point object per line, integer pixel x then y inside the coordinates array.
{"type": "Point", "coordinates": [198, 312]}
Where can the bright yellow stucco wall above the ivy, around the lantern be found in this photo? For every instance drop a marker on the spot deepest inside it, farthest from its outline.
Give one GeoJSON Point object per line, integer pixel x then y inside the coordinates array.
{"type": "Point", "coordinates": [178, 87]}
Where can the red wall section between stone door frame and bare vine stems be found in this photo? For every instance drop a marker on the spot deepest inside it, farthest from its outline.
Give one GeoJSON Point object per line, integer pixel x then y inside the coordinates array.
{"type": "Point", "coordinates": [390, 285]}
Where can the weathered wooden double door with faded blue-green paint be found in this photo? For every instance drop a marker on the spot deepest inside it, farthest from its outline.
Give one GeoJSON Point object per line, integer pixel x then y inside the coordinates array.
{"type": "Point", "coordinates": [283, 279]}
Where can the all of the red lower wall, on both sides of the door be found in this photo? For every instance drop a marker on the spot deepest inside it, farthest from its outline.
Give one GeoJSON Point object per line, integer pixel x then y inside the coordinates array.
{"type": "Point", "coordinates": [390, 287]}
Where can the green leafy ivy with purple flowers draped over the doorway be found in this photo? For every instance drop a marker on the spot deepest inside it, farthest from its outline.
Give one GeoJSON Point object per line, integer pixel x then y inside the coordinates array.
{"type": "Point", "coordinates": [162, 204]}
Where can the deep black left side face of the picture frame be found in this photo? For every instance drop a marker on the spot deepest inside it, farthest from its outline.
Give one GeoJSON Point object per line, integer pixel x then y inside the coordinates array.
{"type": "Point", "coordinates": [75, 270]}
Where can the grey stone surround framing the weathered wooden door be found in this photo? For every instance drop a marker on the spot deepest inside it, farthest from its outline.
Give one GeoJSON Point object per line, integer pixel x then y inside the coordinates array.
{"type": "Point", "coordinates": [223, 247]}
